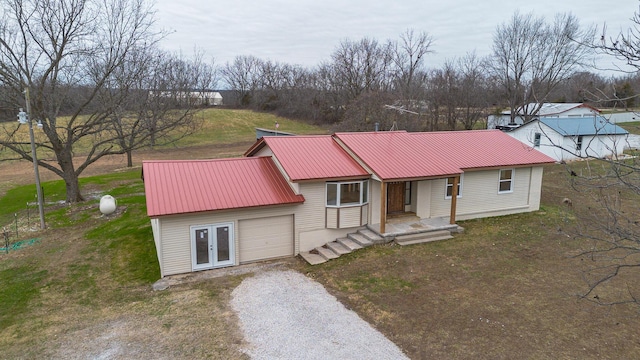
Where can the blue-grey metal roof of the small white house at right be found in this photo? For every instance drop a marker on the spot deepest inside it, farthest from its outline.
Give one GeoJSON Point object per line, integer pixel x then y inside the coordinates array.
{"type": "Point", "coordinates": [596, 125]}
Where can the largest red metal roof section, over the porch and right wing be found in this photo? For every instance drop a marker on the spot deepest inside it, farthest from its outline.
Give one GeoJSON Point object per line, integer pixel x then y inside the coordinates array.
{"type": "Point", "coordinates": [402, 155]}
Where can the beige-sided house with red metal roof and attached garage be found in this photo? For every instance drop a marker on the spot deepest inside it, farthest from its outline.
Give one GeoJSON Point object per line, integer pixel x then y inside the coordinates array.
{"type": "Point", "coordinates": [292, 194]}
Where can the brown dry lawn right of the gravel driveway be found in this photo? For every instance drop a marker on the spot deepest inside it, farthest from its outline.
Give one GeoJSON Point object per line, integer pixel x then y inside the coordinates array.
{"type": "Point", "coordinates": [507, 288]}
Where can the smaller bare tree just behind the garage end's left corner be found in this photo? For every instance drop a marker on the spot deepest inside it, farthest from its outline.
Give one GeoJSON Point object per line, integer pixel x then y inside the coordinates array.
{"type": "Point", "coordinates": [161, 105]}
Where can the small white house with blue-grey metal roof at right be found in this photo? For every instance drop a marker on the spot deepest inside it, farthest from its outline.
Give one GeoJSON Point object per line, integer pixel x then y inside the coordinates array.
{"type": "Point", "coordinates": [566, 139]}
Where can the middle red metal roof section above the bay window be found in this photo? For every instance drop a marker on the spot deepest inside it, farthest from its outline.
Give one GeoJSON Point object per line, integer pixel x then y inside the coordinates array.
{"type": "Point", "coordinates": [310, 157]}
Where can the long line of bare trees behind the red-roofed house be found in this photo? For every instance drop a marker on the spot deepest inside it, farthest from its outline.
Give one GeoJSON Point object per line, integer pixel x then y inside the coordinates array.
{"type": "Point", "coordinates": [534, 60]}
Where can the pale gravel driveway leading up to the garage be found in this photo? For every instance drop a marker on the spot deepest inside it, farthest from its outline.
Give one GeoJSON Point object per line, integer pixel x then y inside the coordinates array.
{"type": "Point", "coordinates": [285, 315]}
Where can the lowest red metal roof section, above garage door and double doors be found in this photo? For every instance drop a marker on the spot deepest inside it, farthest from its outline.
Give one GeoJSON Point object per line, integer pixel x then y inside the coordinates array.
{"type": "Point", "coordinates": [187, 186]}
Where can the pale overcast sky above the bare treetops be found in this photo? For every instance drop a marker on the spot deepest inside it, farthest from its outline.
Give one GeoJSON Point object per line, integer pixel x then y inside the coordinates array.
{"type": "Point", "coordinates": [306, 32]}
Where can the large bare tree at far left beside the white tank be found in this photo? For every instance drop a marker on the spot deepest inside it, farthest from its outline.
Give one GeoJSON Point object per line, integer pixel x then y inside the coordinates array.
{"type": "Point", "coordinates": [65, 52]}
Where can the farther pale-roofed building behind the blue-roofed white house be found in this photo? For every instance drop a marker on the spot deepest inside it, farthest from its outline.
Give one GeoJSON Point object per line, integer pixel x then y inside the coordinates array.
{"type": "Point", "coordinates": [548, 110]}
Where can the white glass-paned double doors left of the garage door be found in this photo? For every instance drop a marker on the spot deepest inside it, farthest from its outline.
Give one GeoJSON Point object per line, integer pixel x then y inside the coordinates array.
{"type": "Point", "coordinates": [212, 246]}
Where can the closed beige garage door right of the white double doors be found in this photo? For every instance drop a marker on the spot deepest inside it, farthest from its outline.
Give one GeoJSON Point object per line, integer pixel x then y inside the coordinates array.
{"type": "Point", "coordinates": [265, 238]}
